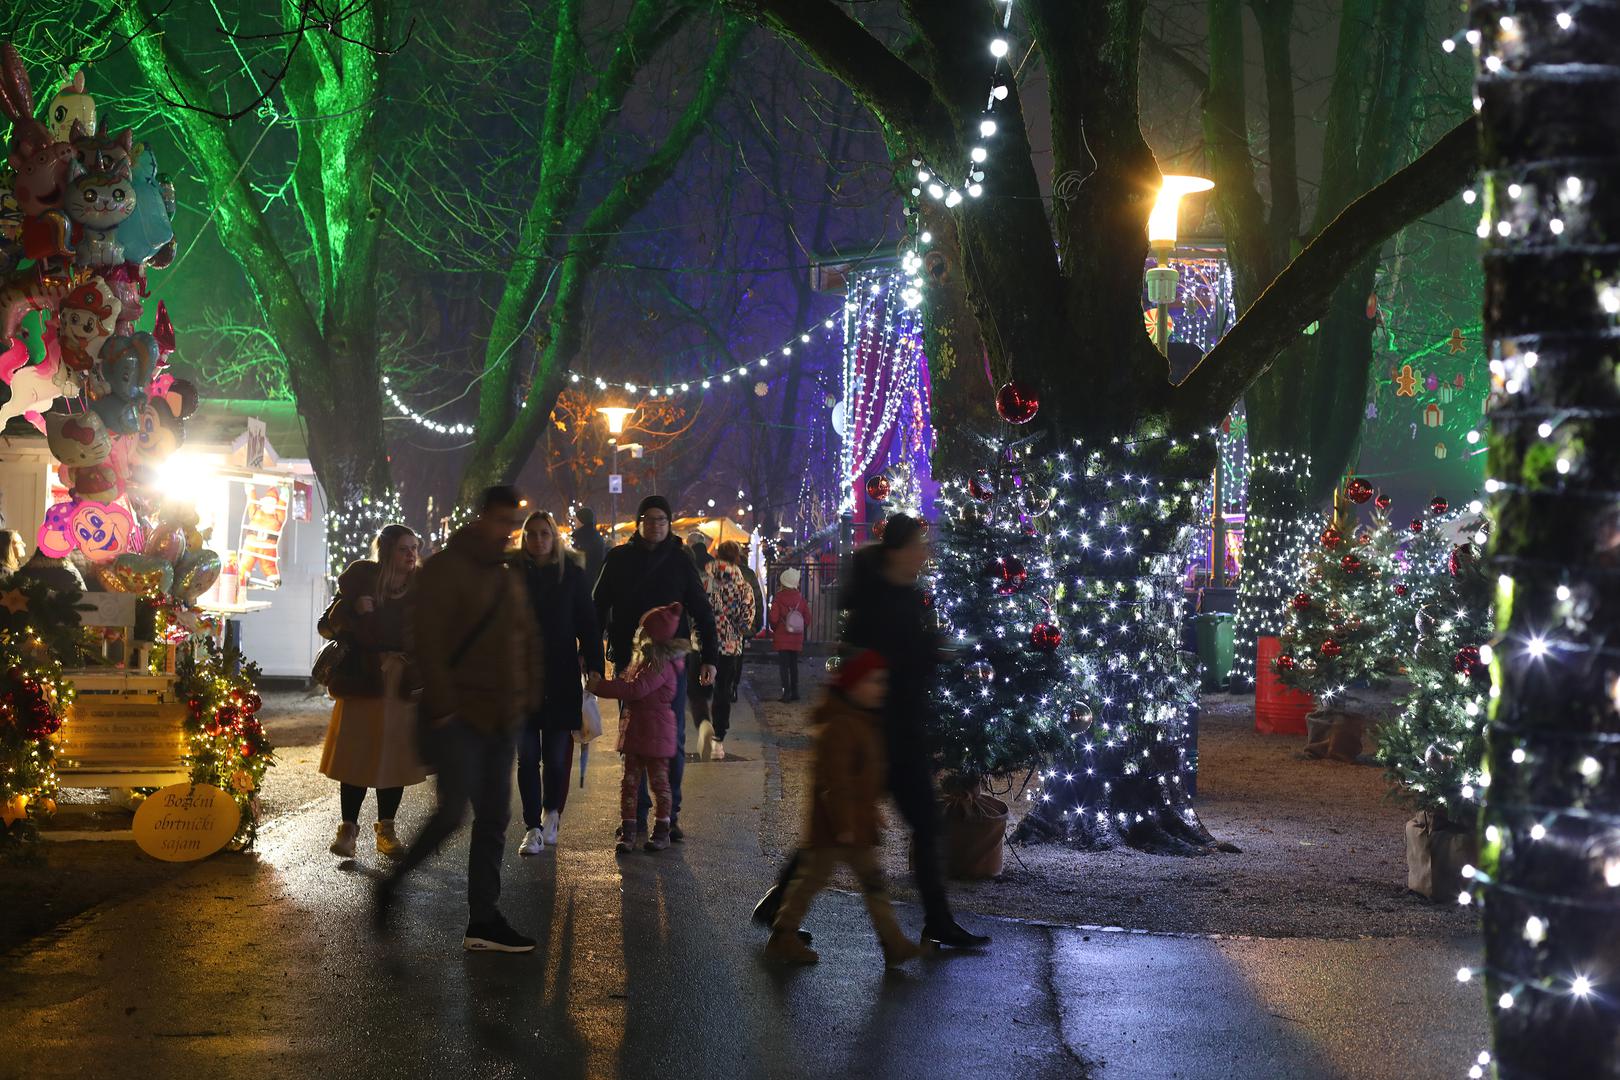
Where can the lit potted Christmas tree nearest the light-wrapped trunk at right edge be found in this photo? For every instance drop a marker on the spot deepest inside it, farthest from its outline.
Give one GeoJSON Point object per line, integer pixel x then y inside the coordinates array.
{"type": "Point", "coordinates": [1435, 749]}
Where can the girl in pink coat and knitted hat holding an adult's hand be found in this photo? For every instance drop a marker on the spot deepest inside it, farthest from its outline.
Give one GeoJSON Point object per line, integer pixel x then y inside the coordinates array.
{"type": "Point", "coordinates": [647, 734]}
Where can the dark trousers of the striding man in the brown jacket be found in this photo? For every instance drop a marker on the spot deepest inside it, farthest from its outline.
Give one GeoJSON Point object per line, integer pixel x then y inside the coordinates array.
{"type": "Point", "coordinates": [474, 768]}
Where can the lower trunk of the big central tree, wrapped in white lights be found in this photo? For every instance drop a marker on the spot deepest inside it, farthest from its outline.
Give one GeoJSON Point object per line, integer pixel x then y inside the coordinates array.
{"type": "Point", "coordinates": [1117, 540]}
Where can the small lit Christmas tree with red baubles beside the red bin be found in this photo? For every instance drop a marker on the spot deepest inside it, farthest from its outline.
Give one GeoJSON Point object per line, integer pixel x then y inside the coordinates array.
{"type": "Point", "coordinates": [1341, 624]}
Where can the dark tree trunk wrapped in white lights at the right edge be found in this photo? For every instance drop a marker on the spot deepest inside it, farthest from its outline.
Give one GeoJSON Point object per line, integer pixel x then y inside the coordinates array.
{"type": "Point", "coordinates": [1550, 880]}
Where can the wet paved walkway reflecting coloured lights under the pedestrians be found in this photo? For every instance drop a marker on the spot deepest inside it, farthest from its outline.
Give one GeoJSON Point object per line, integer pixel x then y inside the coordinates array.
{"type": "Point", "coordinates": [263, 967]}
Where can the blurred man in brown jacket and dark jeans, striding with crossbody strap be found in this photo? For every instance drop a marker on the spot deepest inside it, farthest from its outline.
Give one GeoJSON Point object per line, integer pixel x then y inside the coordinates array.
{"type": "Point", "coordinates": [475, 644]}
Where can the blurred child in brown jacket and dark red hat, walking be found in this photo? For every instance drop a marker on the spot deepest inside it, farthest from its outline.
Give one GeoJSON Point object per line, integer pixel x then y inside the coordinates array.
{"type": "Point", "coordinates": [845, 828]}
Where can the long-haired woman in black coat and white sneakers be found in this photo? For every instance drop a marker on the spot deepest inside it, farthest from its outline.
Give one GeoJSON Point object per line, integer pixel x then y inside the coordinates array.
{"type": "Point", "coordinates": [574, 645]}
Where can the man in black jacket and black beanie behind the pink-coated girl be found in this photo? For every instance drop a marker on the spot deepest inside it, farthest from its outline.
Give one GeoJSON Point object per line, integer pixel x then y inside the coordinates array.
{"type": "Point", "coordinates": [647, 572]}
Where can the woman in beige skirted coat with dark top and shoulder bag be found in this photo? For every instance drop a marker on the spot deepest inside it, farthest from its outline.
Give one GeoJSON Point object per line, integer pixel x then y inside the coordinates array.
{"type": "Point", "coordinates": [372, 738]}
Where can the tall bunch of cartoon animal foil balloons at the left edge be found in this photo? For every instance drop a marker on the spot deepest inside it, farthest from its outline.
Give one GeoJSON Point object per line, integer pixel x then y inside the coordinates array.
{"type": "Point", "coordinates": [83, 216]}
